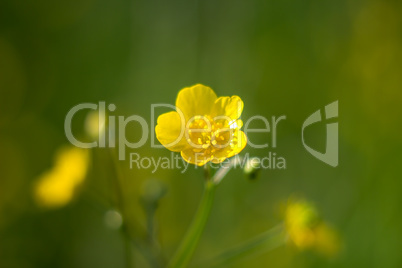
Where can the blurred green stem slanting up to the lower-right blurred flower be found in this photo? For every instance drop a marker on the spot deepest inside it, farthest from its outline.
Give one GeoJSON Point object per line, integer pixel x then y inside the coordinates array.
{"type": "Point", "coordinates": [264, 242]}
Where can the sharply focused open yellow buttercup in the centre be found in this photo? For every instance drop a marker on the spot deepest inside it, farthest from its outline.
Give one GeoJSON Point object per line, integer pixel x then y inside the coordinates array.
{"type": "Point", "coordinates": [204, 127]}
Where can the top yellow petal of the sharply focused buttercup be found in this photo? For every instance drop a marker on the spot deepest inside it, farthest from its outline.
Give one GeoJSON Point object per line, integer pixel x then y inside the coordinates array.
{"type": "Point", "coordinates": [195, 100]}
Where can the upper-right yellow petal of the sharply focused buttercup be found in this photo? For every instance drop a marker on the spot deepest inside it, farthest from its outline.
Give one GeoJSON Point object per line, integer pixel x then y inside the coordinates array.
{"type": "Point", "coordinates": [228, 106]}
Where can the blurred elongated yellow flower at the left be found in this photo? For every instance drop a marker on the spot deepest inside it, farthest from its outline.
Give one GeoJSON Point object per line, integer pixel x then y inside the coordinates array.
{"type": "Point", "coordinates": [55, 188]}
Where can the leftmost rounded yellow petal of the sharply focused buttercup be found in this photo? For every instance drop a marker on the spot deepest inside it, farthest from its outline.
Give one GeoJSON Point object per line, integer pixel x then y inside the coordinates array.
{"type": "Point", "coordinates": [169, 131]}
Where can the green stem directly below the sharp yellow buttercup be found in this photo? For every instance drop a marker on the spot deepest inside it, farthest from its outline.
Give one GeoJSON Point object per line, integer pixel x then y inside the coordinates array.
{"type": "Point", "coordinates": [183, 255]}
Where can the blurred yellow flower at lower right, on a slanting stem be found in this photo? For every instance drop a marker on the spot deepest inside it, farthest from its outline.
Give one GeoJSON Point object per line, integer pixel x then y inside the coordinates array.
{"type": "Point", "coordinates": [307, 231]}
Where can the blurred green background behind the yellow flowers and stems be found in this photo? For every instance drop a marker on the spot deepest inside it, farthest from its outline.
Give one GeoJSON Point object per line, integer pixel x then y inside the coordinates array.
{"type": "Point", "coordinates": [281, 57]}
